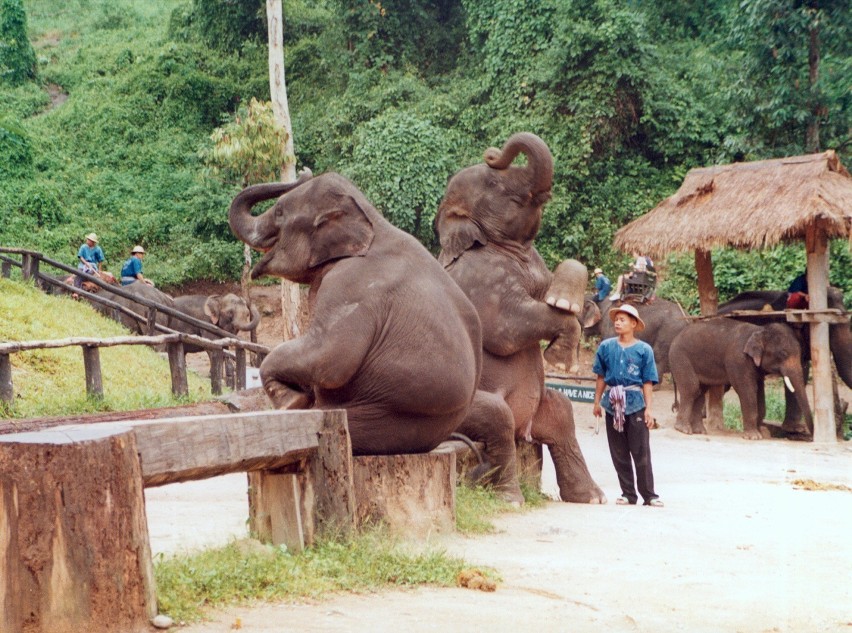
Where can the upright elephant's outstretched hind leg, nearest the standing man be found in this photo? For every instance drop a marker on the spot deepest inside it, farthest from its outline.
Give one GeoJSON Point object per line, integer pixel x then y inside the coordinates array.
{"type": "Point", "coordinates": [553, 426]}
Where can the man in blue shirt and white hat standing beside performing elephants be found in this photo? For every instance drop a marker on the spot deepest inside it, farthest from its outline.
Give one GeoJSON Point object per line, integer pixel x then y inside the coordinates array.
{"type": "Point", "coordinates": [626, 374]}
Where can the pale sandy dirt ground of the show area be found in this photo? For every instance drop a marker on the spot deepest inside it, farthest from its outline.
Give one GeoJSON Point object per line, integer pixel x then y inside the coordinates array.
{"type": "Point", "coordinates": [738, 547]}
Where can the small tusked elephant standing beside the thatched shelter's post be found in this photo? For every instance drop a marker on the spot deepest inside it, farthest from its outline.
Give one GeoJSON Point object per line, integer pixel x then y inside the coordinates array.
{"type": "Point", "coordinates": [722, 352]}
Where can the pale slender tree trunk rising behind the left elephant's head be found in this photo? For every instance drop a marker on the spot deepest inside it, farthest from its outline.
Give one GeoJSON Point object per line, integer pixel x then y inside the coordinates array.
{"type": "Point", "coordinates": [290, 304]}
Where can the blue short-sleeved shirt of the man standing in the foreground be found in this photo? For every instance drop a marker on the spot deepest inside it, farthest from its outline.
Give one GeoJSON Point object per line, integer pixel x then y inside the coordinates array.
{"type": "Point", "coordinates": [633, 365]}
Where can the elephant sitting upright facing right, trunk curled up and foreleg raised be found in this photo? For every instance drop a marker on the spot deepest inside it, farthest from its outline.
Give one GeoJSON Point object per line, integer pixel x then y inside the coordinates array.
{"type": "Point", "coordinates": [486, 224]}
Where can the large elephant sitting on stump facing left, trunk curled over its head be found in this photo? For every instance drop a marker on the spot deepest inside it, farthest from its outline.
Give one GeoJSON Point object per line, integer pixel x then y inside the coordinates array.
{"type": "Point", "coordinates": [392, 339]}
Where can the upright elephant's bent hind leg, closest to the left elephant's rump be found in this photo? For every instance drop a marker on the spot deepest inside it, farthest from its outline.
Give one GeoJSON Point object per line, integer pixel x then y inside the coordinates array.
{"type": "Point", "coordinates": [490, 420]}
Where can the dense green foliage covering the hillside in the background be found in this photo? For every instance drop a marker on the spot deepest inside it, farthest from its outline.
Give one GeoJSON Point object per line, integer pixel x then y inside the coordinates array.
{"type": "Point", "coordinates": [398, 96]}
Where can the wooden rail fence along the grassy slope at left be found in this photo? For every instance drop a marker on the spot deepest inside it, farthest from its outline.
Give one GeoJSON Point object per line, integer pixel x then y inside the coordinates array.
{"type": "Point", "coordinates": [218, 347]}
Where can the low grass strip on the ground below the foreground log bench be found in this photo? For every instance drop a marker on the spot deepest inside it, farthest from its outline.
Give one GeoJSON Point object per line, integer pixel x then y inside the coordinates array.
{"type": "Point", "coordinates": [237, 574]}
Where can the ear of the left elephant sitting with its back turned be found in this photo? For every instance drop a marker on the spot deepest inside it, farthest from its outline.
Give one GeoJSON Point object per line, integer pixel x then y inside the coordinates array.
{"type": "Point", "coordinates": [344, 230]}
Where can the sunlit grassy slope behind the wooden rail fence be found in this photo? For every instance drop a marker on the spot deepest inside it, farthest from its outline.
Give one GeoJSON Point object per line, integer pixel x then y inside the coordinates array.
{"type": "Point", "coordinates": [52, 382]}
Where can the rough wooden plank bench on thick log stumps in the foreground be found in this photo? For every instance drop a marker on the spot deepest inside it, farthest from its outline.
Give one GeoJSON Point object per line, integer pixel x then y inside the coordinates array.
{"type": "Point", "coordinates": [73, 532]}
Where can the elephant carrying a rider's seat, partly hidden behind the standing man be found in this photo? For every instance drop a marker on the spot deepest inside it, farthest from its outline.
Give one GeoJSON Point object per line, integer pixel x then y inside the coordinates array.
{"type": "Point", "coordinates": [663, 322]}
